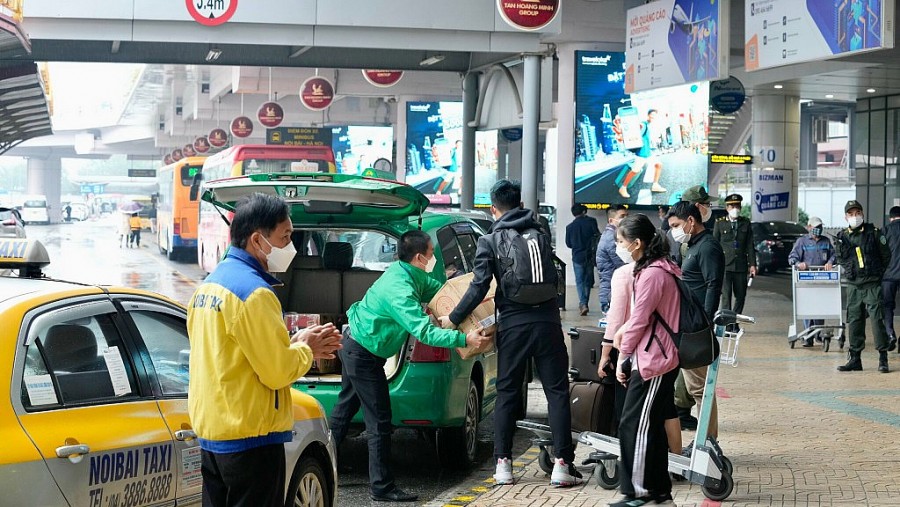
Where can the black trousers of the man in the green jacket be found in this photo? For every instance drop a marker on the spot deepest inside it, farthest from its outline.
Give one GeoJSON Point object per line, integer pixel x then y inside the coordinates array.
{"type": "Point", "coordinates": [363, 384]}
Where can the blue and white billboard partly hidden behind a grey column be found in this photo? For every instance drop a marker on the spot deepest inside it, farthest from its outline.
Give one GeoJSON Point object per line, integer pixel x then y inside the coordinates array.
{"type": "Point", "coordinates": [434, 152]}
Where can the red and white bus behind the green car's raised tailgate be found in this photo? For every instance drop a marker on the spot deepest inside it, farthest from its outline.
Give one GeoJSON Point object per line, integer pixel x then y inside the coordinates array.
{"type": "Point", "coordinates": [214, 236]}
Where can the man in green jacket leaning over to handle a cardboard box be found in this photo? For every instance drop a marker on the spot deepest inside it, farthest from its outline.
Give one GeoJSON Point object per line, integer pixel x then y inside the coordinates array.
{"type": "Point", "coordinates": [378, 326]}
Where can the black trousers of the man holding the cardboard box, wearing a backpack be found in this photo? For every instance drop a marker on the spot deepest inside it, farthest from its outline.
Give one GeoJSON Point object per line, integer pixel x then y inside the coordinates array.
{"type": "Point", "coordinates": [542, 341]}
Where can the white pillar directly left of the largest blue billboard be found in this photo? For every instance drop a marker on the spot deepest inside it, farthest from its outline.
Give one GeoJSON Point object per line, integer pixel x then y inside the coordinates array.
{"type": "Point", "coordinates": [565, 158]}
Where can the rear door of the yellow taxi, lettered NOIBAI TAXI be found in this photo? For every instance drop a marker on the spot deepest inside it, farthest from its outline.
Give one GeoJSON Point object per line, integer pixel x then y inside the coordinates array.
{"type": "Point", "coordinates": [85, 406]}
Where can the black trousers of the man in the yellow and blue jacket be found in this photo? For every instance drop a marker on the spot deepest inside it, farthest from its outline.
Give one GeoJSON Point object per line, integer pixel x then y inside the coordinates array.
{"type": "Point", "coordinates": [252, 478]}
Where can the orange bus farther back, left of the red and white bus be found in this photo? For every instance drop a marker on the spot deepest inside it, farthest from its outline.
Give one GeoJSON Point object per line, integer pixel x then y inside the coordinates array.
{"type": "Point", "coordinates": [176, 213]}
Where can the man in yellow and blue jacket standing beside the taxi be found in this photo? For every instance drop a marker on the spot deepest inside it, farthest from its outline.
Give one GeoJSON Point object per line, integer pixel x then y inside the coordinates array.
{"type": "Point", "coordinates": [243, 361]}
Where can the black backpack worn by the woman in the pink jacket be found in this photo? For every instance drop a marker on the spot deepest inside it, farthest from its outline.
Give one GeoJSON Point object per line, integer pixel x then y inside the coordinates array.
{"type": "Point", "coordinates": [696, 338]}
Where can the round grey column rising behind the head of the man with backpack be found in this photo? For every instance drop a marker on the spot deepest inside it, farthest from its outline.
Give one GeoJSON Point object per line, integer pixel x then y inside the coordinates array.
{"type": "Point", "coordinates": [531, 117]}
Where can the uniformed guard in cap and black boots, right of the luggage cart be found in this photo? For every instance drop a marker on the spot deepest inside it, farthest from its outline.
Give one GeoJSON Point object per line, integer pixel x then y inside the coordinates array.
{"type": "Point", "coordinates": [863, 254]}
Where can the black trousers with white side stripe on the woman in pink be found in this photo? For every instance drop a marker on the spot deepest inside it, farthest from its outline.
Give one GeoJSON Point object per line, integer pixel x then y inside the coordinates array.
{"type": "Point", "coordinates": [642, 436]}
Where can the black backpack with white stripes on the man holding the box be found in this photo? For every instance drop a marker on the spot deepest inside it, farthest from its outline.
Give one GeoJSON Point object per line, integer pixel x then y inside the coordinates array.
{"type": "Point", "coordinates": [525, 267]}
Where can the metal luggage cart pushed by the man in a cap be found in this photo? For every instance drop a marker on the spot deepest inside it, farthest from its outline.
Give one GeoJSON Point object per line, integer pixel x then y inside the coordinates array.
{"type": "Point", "coordinates": [817, 295]}
